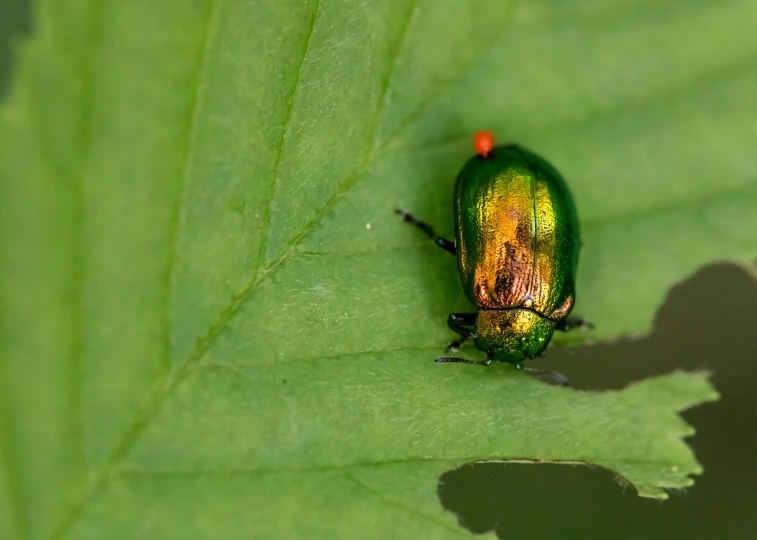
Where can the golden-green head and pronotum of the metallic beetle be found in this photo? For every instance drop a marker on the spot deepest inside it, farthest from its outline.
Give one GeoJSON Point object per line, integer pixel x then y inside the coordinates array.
{"type": "Point", "coordinates": [512, 335]}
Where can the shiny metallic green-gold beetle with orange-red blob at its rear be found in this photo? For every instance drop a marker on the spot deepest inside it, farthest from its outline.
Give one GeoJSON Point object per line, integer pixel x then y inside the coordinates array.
{"type": "Point", "coordinates": [517, 243]}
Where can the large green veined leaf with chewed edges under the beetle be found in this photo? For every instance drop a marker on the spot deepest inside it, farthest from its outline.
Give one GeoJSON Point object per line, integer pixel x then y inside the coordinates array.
{"type": "Point", "coordinates": [213, 326]}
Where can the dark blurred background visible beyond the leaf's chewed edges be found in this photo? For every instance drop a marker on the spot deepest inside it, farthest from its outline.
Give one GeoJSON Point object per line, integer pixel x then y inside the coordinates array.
{"type": "Point", "coordinates": [709, 322]}
